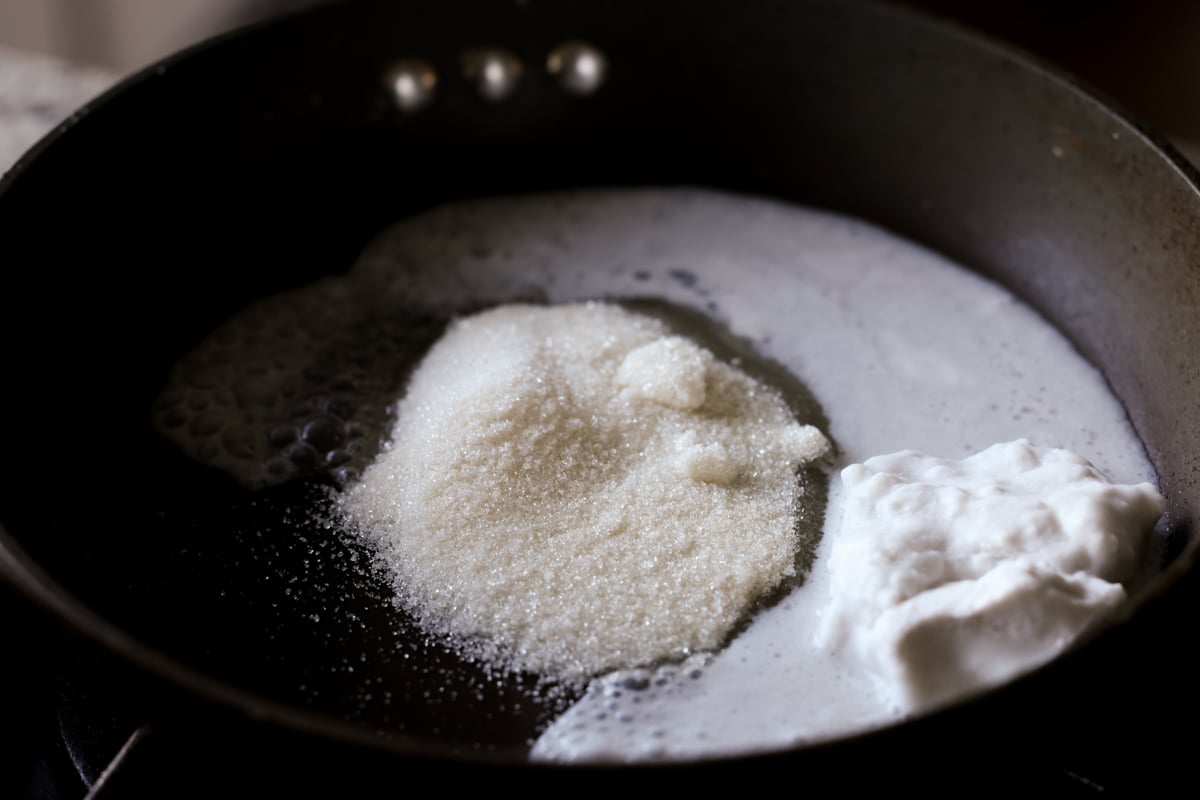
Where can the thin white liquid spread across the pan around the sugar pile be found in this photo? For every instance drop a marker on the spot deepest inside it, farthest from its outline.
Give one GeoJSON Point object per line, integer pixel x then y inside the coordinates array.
{"type": "Point", "coordinates": [902, 348]}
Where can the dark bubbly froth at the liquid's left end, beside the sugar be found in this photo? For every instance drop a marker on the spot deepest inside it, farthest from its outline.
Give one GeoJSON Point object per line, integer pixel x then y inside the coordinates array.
{"type": "Point", "coordinates": [297, 384]}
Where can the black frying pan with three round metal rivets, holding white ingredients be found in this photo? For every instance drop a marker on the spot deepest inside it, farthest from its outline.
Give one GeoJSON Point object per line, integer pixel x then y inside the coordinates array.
{"type": "Point", "coordinates": [265, 160]}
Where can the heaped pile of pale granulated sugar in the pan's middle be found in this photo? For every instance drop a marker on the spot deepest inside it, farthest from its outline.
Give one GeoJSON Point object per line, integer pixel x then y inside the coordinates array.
{"type": "Point", "coordinates": [574, 489]}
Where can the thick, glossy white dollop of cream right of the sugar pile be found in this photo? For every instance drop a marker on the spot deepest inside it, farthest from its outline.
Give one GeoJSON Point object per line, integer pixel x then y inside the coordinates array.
{"type": "Point", "coordinates": [951, 576]}
